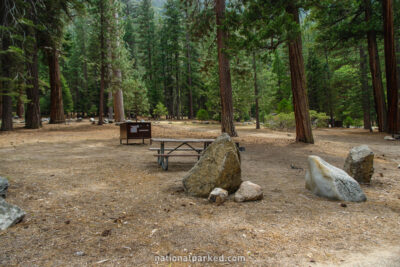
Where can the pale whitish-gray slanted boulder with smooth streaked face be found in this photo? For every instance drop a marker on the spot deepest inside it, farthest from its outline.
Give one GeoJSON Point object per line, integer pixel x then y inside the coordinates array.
{"type": "Point", "coordinates": [328, 181]}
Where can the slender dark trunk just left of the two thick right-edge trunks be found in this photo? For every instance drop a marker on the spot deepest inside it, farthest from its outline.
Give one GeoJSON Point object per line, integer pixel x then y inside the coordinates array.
{"type": "Point", "coordinates": [365, 89]}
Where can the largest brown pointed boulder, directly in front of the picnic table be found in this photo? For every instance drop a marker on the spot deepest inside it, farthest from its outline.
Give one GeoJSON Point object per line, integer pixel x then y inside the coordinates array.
{"type": "Point", "coordinates": [219, 166]}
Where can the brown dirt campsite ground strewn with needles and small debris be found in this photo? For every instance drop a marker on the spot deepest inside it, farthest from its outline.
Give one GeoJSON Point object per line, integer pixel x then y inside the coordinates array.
{"type": "Point", "coordinates": [84, 193]}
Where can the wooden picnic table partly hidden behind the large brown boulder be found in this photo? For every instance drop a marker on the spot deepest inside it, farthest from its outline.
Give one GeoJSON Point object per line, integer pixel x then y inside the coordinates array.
{"type": "Point", "coordinates": [163, 153]}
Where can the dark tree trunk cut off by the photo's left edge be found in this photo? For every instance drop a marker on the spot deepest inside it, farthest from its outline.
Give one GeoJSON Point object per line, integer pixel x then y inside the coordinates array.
{"type": "Point", "coordinates": [6, 61]}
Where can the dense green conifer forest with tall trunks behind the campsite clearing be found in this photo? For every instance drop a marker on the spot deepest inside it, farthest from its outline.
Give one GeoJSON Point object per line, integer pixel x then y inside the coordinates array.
{"type": "Point", "coordinates": [285, 64]}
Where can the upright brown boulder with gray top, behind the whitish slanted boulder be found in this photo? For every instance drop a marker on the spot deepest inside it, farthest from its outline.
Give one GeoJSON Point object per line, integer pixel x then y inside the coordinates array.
{"type": "Point", "coordinates": [360, 164]}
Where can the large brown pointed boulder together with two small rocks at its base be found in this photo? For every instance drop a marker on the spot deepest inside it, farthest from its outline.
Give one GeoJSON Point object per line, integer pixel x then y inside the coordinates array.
{"type": "Point", "coordinates": [218, 174]}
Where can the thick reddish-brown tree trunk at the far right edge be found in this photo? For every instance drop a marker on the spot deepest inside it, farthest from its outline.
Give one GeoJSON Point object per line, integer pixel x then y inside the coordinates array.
{"type": "Point", "coordinates": [391, 67]}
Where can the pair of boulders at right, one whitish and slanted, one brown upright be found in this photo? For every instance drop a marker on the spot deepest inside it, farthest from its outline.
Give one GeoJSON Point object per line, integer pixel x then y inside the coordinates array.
{"type": "Point", "coordinates": [328, 181]}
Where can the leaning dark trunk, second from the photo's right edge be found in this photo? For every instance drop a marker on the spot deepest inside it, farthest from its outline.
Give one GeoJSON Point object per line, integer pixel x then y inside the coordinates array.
{"type": "Point", "coordinates": [376, 75]}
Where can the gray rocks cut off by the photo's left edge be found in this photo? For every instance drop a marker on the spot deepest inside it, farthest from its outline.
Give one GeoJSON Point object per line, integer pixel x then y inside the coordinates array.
{"type": "Point", "coordinates": [9, 214]}
